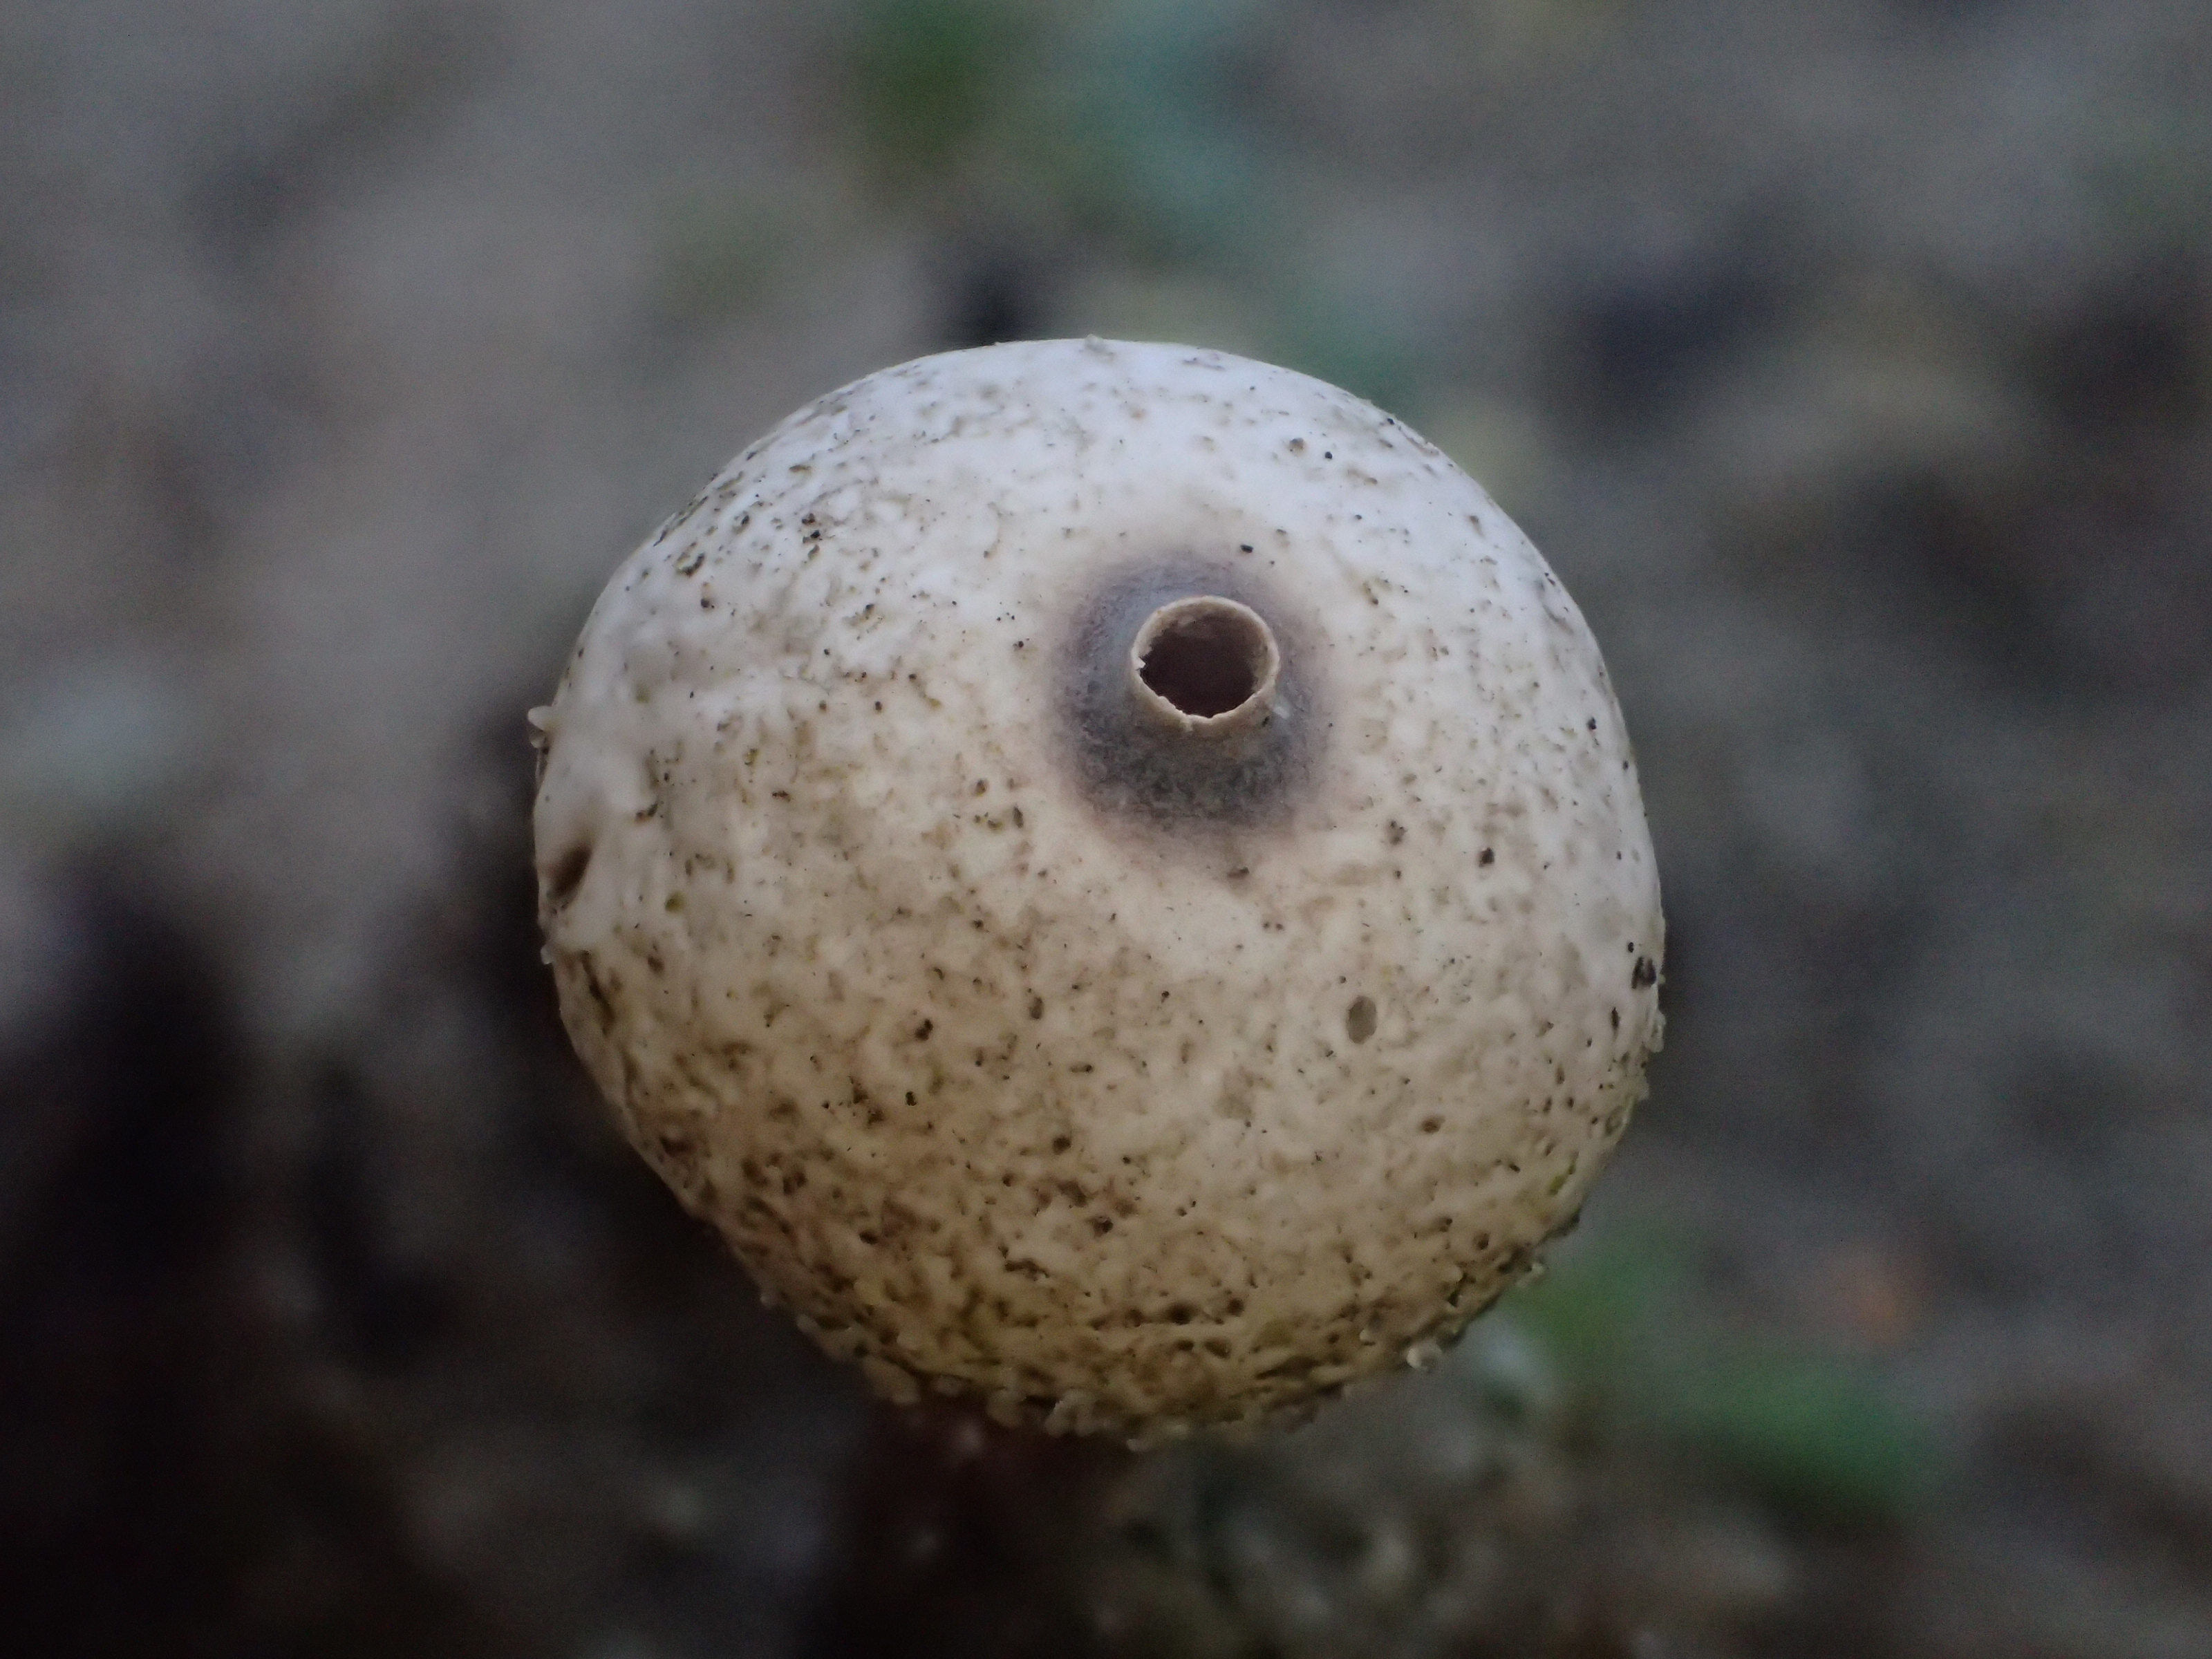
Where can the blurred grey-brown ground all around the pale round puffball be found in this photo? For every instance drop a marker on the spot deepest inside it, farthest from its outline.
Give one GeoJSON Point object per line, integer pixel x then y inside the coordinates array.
{"type": "Point", "coordinates": [1855, 368]}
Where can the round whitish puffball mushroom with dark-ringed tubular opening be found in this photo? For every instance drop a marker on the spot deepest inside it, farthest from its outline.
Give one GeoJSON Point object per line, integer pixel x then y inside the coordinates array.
{"type": "Point", "coordinates": [1112, 875]}
